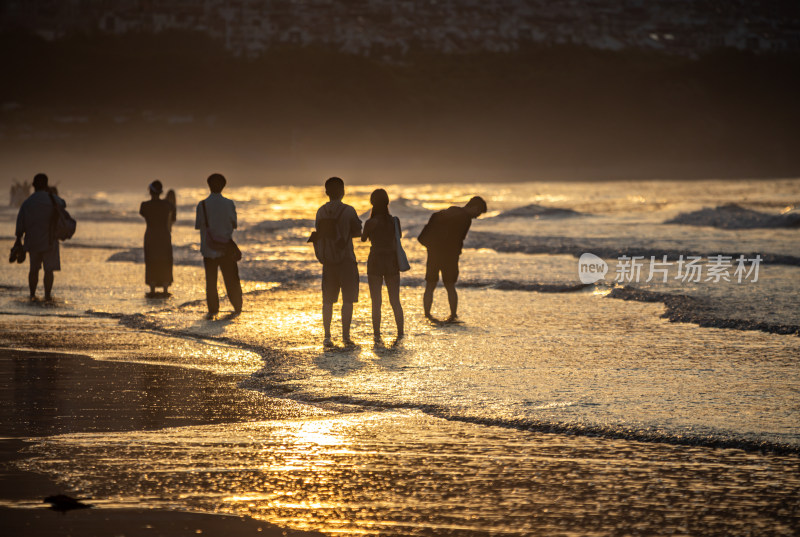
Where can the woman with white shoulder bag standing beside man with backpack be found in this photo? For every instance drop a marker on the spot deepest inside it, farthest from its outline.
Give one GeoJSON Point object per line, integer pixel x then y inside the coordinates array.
{"type": "Point", "coordinates": [382, 263]}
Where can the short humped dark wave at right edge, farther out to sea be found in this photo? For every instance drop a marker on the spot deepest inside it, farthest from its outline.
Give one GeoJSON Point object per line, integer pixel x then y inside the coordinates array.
{"type": "Point", "coordinates": [733, 216]}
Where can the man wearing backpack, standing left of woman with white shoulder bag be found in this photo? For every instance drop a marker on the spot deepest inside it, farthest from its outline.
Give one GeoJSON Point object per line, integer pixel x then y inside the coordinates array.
{"type": "Point", "coordinates": [336, 225]}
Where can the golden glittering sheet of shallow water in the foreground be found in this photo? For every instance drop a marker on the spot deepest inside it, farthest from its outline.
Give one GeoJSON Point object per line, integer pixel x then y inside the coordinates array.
{"type": "Point", "coordinates": [405, 473]}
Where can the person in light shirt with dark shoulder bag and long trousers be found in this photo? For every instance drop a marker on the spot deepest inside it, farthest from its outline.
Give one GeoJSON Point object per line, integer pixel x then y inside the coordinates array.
{"type": "Point", "coordinates": [220, 213]}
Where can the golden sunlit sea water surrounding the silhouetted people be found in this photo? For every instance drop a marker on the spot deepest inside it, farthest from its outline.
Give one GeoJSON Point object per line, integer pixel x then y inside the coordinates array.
{"type": "Point", "coordinates": [696, 373]}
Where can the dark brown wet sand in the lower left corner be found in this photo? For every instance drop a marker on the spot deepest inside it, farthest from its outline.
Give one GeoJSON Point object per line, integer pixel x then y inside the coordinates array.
{"type": "Point", "coordinates": [47, 393]}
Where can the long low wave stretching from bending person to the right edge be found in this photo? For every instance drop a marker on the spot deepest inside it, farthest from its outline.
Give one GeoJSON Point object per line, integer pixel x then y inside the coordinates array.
{"type": "Point", "coordinates": [604, 248]}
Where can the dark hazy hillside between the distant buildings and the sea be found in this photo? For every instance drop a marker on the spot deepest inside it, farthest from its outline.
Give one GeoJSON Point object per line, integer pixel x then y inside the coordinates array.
{"type": "Point", "coordinates": [178, 101]}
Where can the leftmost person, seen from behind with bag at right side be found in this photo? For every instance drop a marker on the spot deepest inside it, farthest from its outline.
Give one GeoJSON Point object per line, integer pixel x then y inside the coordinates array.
{"type": "Point", "coordinates": [34, 222]}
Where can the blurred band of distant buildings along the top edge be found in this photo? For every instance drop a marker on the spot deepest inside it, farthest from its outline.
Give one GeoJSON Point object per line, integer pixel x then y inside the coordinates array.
{"type": "Point", "coordinates": [388, 29]}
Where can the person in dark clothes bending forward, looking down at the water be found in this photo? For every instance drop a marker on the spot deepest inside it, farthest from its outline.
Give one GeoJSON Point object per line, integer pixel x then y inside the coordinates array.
{"type": "Point", "coordinates": [444, 236]}
